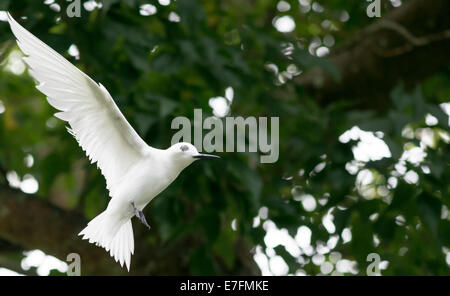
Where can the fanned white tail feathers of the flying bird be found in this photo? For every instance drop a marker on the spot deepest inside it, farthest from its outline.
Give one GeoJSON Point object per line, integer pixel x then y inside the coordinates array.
{"type": "Point", "coordinates": [115, 236]}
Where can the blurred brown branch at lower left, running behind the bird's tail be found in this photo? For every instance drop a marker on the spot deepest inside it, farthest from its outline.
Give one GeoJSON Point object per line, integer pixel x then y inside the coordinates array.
{"type": "Point", "coordinates": [33, 223]}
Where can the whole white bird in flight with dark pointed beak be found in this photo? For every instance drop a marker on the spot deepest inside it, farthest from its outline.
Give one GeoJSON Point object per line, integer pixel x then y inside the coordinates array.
{"type": "Point", "coordinates": [135, 172]}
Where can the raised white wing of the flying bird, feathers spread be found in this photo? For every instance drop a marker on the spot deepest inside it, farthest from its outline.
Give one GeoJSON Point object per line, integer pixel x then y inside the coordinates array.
{"type": "Point", "coordinates": [95, 120]}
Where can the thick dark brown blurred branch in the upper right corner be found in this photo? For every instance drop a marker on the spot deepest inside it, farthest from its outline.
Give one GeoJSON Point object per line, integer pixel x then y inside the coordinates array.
{"type": "Point", "coordinates": [407, 45]}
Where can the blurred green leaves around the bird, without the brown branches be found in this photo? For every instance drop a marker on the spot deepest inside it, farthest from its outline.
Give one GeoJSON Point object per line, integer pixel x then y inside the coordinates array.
{"type": "Point", "coordinates": [157, 68]}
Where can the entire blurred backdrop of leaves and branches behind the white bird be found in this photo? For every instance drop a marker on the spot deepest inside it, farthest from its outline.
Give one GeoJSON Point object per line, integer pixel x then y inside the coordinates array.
{"type": "Point", "coordinates": [364, 136]}
